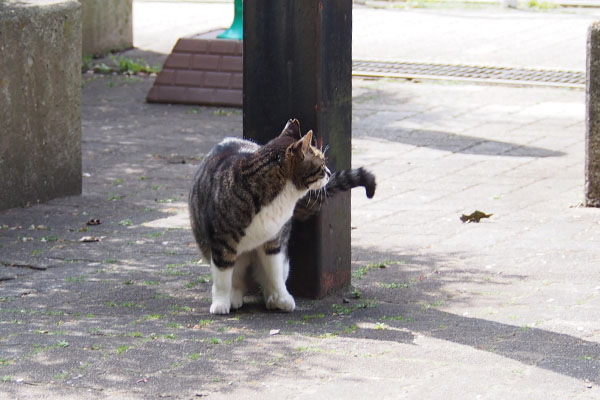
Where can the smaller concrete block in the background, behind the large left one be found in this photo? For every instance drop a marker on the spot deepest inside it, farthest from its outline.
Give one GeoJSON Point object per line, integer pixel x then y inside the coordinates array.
{"type": "Point", "coordinates": [106, 26]}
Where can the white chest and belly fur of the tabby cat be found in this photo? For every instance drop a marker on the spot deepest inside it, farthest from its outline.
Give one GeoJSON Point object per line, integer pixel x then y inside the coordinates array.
{"type": "Point", "coordinates": [270, 219]}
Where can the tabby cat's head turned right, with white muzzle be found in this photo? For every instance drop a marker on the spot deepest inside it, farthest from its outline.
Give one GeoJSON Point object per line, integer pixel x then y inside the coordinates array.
{"type": "Point", "coordinates": [305, 162]}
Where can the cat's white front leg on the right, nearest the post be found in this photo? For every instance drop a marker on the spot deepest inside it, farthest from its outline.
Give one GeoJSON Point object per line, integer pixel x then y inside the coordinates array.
{"type": "Point", "coordinates": [271, 272]}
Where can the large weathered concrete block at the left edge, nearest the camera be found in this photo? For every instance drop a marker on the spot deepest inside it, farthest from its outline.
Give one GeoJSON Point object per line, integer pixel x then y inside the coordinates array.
{"type": "Point", "coordinates": [40, 100]}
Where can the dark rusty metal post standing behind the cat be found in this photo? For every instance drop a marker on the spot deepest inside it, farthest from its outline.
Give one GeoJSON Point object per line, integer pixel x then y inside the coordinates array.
{"type": "Point", "coordinates": [298, 64]}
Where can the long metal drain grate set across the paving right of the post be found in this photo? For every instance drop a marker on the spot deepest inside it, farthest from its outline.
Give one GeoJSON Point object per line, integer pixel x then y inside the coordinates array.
{"type": "Point", "coordinates": [497, 75]}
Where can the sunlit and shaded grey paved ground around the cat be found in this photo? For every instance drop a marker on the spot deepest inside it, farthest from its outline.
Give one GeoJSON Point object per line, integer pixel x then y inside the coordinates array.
{"type": "Point", "coordinates": [439, 309]}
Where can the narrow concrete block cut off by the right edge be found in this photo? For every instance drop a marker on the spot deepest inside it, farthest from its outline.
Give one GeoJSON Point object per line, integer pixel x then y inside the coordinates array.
{"type": "Point", "coordinates": [592, 118]}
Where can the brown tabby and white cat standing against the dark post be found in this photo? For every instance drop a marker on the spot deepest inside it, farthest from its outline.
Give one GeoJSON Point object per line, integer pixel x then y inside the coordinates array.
{"type": "Point", "coordinates": [241, 205]}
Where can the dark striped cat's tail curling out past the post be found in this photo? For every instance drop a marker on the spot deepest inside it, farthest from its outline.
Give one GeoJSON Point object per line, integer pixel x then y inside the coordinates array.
{"type": "Point", "coordinates": [339, 181]}
